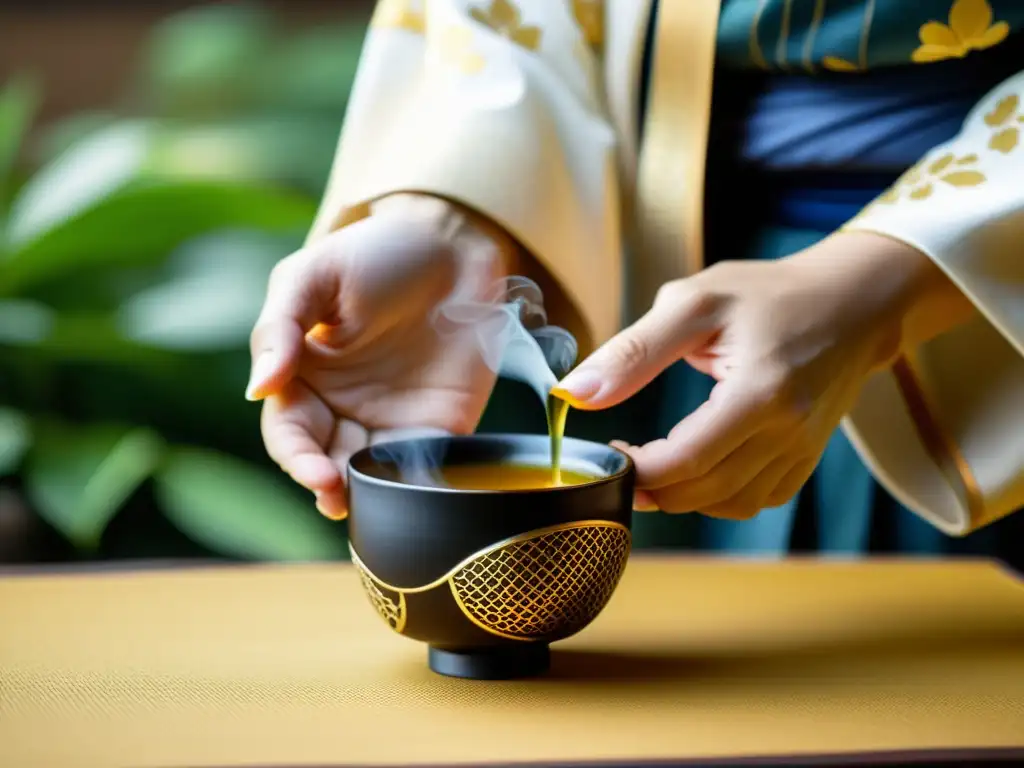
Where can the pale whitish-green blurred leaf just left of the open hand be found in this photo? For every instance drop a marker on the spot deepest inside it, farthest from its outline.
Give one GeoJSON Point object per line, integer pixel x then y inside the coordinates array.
{"type": "Point", "coordinates": [212, 298]}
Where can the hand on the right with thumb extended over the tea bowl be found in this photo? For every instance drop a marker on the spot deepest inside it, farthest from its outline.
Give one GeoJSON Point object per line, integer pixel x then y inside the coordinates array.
{"type": "Point", "coordinates": [791, 344]}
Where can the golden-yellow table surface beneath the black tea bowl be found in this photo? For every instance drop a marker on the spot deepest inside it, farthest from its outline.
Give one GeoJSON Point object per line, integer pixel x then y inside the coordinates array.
{"type": "Point", "coordinates": [694, 660]}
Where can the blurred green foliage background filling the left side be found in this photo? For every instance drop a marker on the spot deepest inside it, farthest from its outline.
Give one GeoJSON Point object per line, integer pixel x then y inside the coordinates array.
{"type": "Point", "coordinates": [136, 243]}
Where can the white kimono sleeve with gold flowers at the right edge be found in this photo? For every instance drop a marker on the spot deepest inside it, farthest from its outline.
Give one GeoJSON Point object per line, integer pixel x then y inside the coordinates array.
{"type": "Point", "coordinates": [944, 431]}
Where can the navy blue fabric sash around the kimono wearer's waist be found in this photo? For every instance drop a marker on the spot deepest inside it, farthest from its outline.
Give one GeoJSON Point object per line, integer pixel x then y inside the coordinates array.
{"type": "Point", "coordinates": [818, 149]}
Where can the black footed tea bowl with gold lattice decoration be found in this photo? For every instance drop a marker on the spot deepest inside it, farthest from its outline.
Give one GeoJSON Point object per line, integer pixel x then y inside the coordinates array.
{"type": "Point", "coordinates": [489, 579]}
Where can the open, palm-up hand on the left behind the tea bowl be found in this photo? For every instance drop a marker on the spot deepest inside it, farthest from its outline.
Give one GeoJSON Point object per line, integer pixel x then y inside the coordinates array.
{"type": "Point", "coordinates": [346, 351]}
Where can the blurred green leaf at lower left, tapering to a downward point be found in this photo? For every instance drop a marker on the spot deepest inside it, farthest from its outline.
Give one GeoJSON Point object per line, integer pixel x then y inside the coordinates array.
{"type": "Point", "coordinates": [79, 479]}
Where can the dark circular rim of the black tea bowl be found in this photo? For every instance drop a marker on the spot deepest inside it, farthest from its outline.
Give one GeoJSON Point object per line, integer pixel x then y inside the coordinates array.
{"type": "Point", "coordinates": [627, 470]}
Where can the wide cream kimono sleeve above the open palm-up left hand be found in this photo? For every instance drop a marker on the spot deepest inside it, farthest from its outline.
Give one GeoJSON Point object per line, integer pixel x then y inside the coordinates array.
{"type": "Point", "coordinates": [495, 105]}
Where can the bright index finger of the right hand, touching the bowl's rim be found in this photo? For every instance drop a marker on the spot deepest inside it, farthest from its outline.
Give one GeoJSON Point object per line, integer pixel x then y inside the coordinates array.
{"type": "Point", "coordinates": [700, 443]}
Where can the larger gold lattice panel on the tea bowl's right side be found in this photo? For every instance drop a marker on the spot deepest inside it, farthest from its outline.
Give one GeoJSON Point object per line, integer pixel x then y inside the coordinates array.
{"type": "Point", "coordinates": [548, 583]}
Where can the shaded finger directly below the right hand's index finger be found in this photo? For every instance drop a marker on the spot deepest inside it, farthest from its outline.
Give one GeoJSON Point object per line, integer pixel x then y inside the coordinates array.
{"type": "Point", "coordinates": [729, 477]}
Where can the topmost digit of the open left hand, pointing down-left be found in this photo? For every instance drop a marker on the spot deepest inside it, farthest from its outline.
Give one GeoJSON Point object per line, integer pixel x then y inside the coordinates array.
{"type": "Point", "coordinates": [302, 293]}
